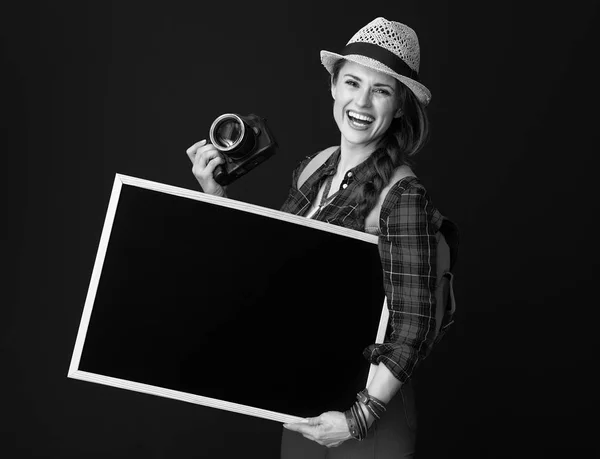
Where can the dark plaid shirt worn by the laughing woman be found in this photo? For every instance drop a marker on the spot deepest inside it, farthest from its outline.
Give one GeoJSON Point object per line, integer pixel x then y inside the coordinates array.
{"type": "Point", "coordinates": [407, 248]}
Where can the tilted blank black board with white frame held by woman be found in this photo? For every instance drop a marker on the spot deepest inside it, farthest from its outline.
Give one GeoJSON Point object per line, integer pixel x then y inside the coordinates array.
{"type": "Point", "coordinates": [225, 304]}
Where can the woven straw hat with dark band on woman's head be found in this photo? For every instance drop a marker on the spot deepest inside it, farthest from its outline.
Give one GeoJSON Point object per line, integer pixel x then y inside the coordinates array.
{"type": "Point", "coordinates": [386, 46]}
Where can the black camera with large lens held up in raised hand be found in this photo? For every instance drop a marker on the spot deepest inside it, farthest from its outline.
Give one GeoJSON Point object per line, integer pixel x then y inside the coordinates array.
{"type": "Point", "coordinates": [244, 141]}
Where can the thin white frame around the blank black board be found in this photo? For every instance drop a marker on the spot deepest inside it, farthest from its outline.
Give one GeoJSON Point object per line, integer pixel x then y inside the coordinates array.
{"type": "Point", "coordinates": [121, 180]}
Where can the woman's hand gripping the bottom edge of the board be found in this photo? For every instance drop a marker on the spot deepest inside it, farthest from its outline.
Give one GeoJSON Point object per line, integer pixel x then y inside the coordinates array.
{"type": "Point", "coordinates": [330, 429]}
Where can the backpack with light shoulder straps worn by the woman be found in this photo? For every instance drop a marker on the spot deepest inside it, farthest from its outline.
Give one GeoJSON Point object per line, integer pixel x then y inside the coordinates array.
{"type": "Point", "coordinates": [444, 290]}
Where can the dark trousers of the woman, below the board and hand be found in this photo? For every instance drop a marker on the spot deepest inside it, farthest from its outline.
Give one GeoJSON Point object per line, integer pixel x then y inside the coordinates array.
{"type": "Point", "coordinates": [391, 437]}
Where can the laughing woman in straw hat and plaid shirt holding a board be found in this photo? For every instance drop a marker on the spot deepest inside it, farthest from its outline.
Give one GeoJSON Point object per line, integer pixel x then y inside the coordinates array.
{"type": "Point", "coordinates": [366, 184]}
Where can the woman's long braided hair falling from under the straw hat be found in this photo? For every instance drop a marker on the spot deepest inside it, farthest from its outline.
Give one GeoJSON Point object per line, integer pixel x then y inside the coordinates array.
{"type": "Point", "coordinates": [405, 136]}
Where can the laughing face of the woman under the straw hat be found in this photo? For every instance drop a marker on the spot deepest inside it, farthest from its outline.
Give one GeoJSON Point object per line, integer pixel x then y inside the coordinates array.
{"type": "Point", "coordinates": [365, 103]}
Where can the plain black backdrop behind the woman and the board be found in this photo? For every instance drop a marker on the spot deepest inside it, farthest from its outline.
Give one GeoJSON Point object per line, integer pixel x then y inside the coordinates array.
{"type": "Point", "coordinates": [94, 88]}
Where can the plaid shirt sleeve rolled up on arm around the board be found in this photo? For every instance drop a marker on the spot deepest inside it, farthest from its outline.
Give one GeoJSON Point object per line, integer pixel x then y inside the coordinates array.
{"type": "Point", "coordinates": [407, 248]}
